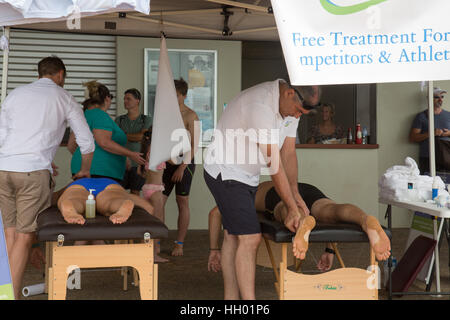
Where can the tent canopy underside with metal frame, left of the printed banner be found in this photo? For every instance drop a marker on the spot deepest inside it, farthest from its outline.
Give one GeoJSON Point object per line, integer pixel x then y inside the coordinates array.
{"type": "Point", "coordinates": [194, 19]}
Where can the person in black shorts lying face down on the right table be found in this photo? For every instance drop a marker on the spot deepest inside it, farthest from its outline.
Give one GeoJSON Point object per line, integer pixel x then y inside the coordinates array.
{"type": "Point", "coordinates": [322, 209]}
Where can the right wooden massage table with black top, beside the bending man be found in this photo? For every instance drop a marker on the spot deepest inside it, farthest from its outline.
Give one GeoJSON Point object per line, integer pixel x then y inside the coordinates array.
{"type": "Point", "coordinates": [344, 283]}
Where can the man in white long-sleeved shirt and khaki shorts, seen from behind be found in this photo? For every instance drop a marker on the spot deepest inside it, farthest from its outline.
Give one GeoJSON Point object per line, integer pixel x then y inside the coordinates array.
{"type": "Point", "coordinates": [33, 119]}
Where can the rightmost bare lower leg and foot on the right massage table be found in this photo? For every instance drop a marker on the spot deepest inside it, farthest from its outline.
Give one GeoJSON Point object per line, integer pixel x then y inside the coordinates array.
{"type": "Point", "coordinates": [326, 210]}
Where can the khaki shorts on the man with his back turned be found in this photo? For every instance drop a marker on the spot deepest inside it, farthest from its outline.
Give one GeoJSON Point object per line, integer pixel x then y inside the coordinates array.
{"type": "Point", "coordinates": [23, 195]}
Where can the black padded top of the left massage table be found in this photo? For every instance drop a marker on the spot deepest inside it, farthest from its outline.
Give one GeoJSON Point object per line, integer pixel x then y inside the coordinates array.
{"type": "Point", "coordinates": [51, 224]}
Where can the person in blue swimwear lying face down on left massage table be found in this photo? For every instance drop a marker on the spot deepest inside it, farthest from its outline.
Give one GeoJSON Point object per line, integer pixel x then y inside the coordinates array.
{"type": "Point", "coordinates": [112, 200]}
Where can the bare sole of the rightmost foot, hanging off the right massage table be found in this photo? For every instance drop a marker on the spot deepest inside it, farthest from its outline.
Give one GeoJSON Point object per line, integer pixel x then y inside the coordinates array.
{"type": "Point", "coordinates": [377, 238]}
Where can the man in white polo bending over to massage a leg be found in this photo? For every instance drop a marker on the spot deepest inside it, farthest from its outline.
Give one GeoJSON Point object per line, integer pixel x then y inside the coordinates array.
{"type": "Point", "coordinates": [257, 130]}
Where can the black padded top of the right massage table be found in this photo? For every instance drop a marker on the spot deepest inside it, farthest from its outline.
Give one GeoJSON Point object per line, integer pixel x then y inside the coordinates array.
{"type": "Point", "coordinates": [277, 232]}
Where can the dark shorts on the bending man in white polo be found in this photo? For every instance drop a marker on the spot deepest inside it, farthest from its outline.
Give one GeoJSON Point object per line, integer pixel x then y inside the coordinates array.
{"type": "Point", "coordinates": [236, 203]}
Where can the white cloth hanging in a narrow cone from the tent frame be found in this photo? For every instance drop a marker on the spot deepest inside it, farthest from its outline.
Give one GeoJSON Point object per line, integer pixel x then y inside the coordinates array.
{"type": "Point", "coordinates": [170, 139]}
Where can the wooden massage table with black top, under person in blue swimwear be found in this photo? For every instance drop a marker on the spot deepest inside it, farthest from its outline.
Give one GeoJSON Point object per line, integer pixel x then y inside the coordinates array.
{"type": "Point", "coordinates": [62, 259]}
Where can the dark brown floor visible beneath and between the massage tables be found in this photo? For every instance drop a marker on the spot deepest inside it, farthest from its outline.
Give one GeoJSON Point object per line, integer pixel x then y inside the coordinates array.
{"type": "Point", "coordinates": [187, 277]}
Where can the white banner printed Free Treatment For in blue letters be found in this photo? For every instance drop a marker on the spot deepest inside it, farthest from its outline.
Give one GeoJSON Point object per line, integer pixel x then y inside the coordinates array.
{"type": "Point", "coordinates": [364, 41]}
